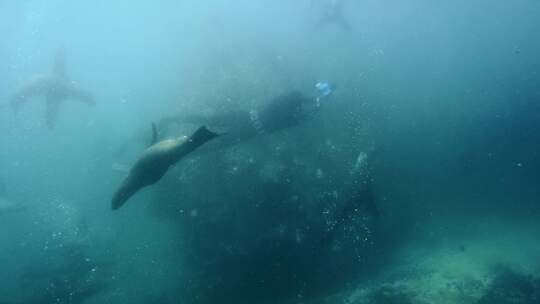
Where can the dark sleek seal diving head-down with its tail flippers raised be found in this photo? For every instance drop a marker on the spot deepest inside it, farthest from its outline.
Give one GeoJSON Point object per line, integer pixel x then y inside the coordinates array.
{"type": "Point", "coordinates": [156, 160]}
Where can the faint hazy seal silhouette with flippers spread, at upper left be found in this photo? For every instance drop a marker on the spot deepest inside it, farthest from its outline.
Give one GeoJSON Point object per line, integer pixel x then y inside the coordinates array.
{"type": "Point", "coordinates": [55, 88]}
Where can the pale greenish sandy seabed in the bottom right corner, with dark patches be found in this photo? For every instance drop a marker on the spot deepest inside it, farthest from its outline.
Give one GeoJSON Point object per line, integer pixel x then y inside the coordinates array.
{"type": "Point", "coordinates": [497, 264]}
